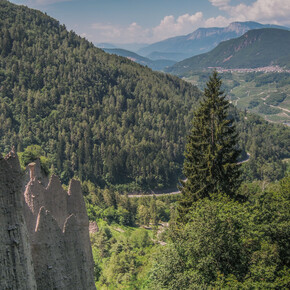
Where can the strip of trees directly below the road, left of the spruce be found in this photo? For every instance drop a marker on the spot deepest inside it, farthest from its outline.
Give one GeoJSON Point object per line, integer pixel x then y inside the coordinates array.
{"type": "Point", "coordinates": [115, 208]}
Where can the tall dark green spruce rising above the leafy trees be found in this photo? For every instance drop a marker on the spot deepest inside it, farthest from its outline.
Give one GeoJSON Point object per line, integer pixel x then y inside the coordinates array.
{"type": "Point", "coordinates": [211, 153]}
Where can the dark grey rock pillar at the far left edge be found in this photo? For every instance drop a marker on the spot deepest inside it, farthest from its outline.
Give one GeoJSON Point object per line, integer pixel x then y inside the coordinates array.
{"type": "Point", "coordinates": [16, 267]}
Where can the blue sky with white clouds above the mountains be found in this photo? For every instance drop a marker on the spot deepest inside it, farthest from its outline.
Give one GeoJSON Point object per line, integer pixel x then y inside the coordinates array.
{"type": "Point", "coordinates": [148, 21]}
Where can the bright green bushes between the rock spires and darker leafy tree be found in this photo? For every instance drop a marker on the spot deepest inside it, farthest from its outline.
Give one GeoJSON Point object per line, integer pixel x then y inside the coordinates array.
{"type": "Point", "coordinates": [121, 257]}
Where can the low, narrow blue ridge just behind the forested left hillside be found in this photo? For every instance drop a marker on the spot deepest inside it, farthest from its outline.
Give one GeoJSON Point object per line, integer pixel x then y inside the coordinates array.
{"type": "Point", "coordinates": [160, 64]}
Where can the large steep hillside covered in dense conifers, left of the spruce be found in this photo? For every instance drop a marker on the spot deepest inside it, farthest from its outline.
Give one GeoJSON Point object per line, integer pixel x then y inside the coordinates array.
{"type": "Point", "coordinates": [98, 116]}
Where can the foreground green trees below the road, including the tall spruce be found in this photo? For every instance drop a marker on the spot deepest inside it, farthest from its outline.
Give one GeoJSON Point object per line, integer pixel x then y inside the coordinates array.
{"type": "Point", "coordinates": [220, 235]}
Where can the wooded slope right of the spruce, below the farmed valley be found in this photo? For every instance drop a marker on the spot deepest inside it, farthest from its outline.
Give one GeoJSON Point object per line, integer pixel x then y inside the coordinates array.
{"type": "Point", "coordinates": [268, 145]}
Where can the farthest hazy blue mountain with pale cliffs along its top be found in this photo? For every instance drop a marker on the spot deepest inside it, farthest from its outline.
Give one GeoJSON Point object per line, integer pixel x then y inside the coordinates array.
{"type": "Point", "coordinates": [201, 40]}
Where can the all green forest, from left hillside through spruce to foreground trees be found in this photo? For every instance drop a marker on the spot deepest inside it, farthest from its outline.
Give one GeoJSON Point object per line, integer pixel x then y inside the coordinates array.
{"type": "Point", "coordinates": [119, 127]}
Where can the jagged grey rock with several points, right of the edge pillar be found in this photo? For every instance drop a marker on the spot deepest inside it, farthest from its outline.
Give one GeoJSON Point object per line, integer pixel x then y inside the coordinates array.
{"type": "Point", "coordinates": [58, 229]}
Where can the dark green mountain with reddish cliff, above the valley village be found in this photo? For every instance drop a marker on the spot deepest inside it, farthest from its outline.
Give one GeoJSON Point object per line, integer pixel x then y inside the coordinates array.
{"type": "Point", "coordinates": [256, 48]}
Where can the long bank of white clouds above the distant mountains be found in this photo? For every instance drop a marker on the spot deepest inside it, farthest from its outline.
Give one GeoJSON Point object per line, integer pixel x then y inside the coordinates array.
{"type": "Point", "coordinates": [264, 11]}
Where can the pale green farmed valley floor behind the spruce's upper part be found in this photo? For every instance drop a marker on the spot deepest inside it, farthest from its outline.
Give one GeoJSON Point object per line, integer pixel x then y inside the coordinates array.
{"type": "Point", "coordinates": [270, 89]}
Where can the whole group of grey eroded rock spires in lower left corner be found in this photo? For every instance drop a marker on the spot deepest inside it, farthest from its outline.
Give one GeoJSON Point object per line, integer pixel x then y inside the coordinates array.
{"type": "Point", "coordinates": [45, 231]}
